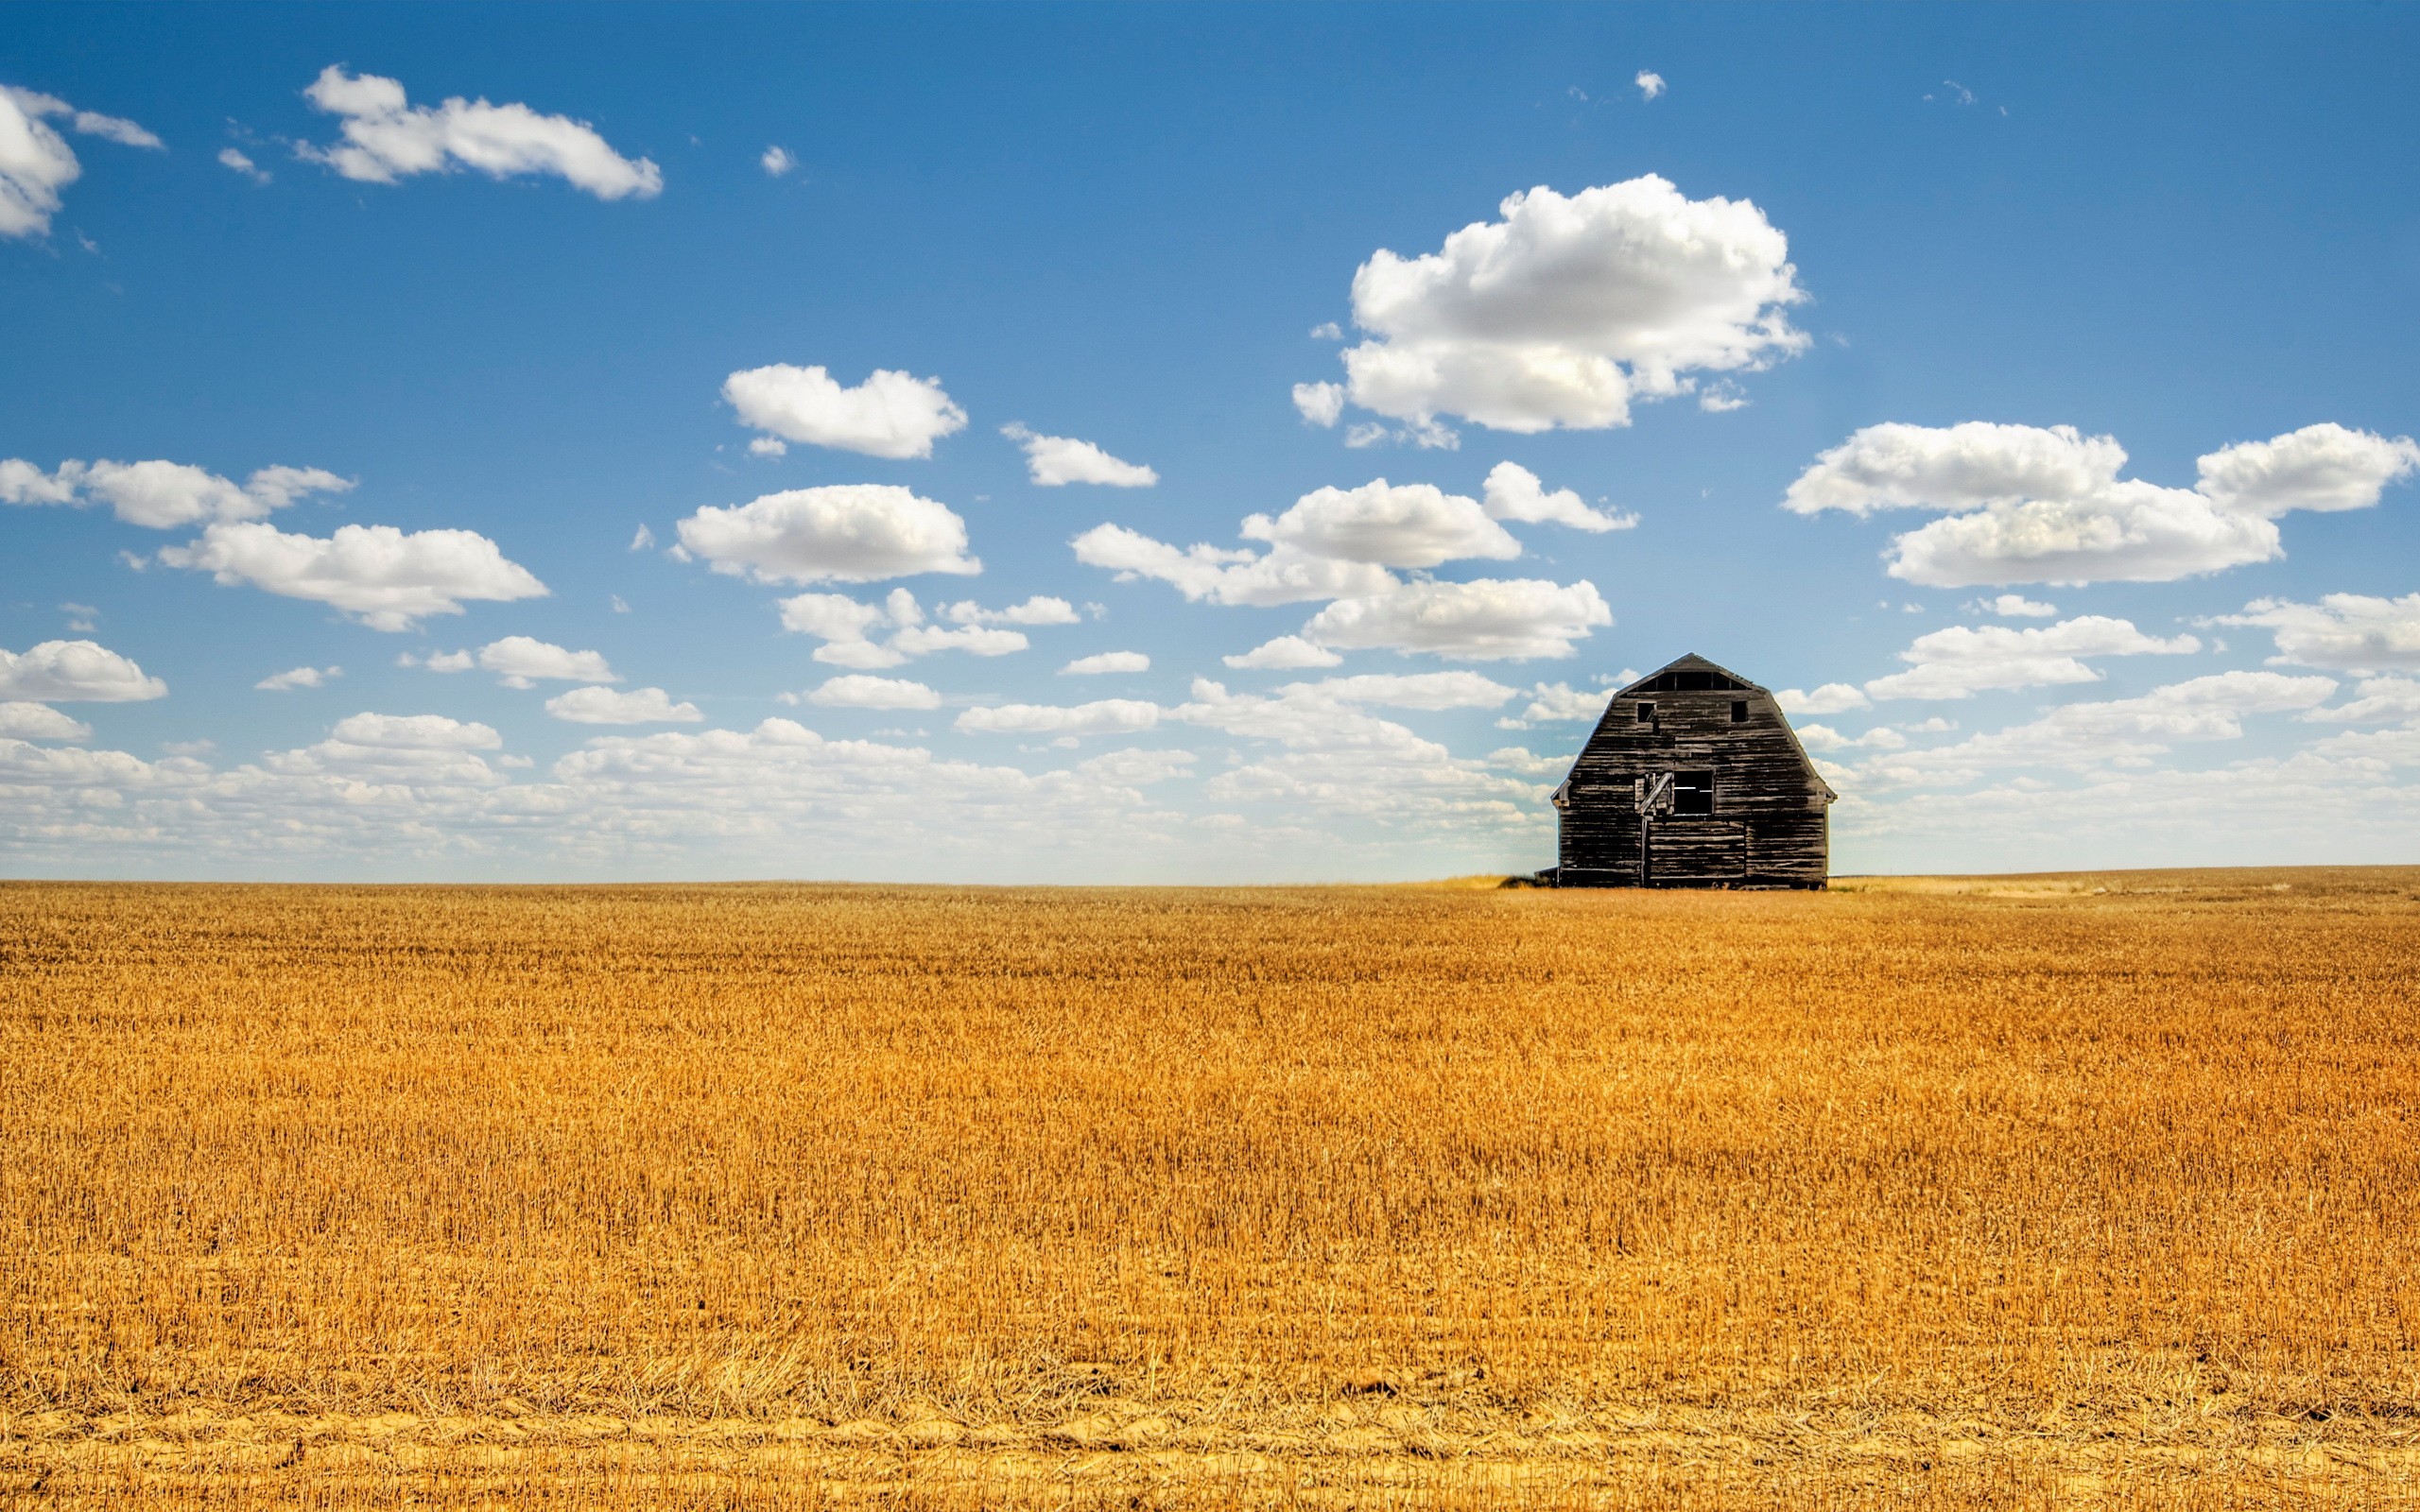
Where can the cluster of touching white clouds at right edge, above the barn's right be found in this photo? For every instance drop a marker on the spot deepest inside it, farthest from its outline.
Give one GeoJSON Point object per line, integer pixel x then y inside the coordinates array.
{"type": "Point", "coordinates": [2034, 504]}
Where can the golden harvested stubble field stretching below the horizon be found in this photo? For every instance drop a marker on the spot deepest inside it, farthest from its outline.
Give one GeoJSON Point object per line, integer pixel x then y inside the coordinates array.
{"type": "Point", "coordinates": [1995, 1191]}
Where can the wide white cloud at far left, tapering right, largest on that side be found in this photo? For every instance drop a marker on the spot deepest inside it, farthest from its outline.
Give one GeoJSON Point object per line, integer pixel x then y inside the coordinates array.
{"type": "Point", "coordinates": [379, 575]}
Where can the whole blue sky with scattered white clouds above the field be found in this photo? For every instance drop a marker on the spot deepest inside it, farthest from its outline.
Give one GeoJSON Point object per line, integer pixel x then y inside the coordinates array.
{"type": "Point", "coordinates": [1780, 350]}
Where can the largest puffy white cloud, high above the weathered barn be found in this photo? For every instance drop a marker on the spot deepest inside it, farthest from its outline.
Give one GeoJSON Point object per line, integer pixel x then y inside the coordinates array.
{"type": "Point", "coordinates": [1569, 308]}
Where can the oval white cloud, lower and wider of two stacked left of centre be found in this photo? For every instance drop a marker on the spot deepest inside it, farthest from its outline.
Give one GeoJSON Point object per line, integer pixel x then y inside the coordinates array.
{"type": "Point", "coordinates": [848, 533]}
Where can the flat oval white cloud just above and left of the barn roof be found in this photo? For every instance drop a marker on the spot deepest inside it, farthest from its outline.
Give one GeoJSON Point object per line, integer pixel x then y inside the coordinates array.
{"type": "Point", "coordinates": [1485, 621]}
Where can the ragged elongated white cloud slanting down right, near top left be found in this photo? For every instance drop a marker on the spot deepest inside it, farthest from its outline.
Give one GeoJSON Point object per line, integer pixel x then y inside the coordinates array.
{"type": "Point", "coordinates": [388, 139]}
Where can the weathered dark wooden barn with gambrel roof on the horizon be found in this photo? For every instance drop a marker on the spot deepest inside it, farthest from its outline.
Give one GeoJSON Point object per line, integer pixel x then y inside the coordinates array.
{"type": "Point", "coordinates": [1693, 780]}
